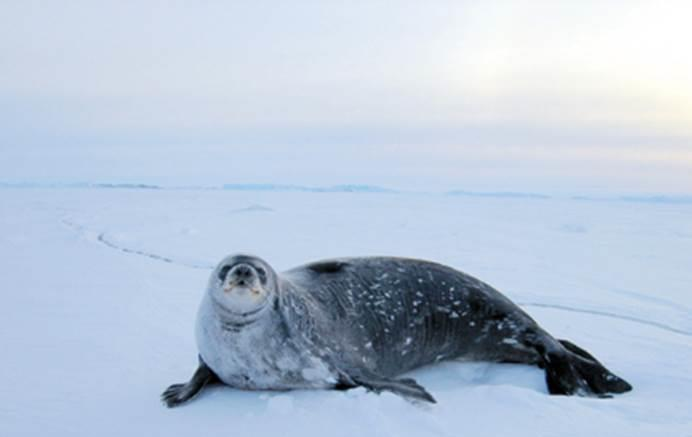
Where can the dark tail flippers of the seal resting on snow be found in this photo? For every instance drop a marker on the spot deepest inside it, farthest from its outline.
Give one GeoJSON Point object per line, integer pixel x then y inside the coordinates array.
{"type": "Point", "coordinates": [573, 371]}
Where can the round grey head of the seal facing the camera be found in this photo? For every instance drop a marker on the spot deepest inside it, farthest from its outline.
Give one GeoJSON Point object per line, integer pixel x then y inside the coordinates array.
{"type": "Point", "coordinates": [243, 285]}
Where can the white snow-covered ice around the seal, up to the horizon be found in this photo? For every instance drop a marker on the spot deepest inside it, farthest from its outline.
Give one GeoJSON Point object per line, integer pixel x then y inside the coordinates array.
{"type": "Point", "coordinates": [100, 289]}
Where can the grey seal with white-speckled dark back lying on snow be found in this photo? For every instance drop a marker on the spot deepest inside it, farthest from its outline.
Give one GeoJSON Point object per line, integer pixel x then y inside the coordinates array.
{"type": "Point", "coordinates": [351, 322]}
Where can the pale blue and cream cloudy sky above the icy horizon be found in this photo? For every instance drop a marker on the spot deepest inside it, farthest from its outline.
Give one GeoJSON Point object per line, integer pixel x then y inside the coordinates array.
{"type": "Point", "coordinates": [524, 95]}
